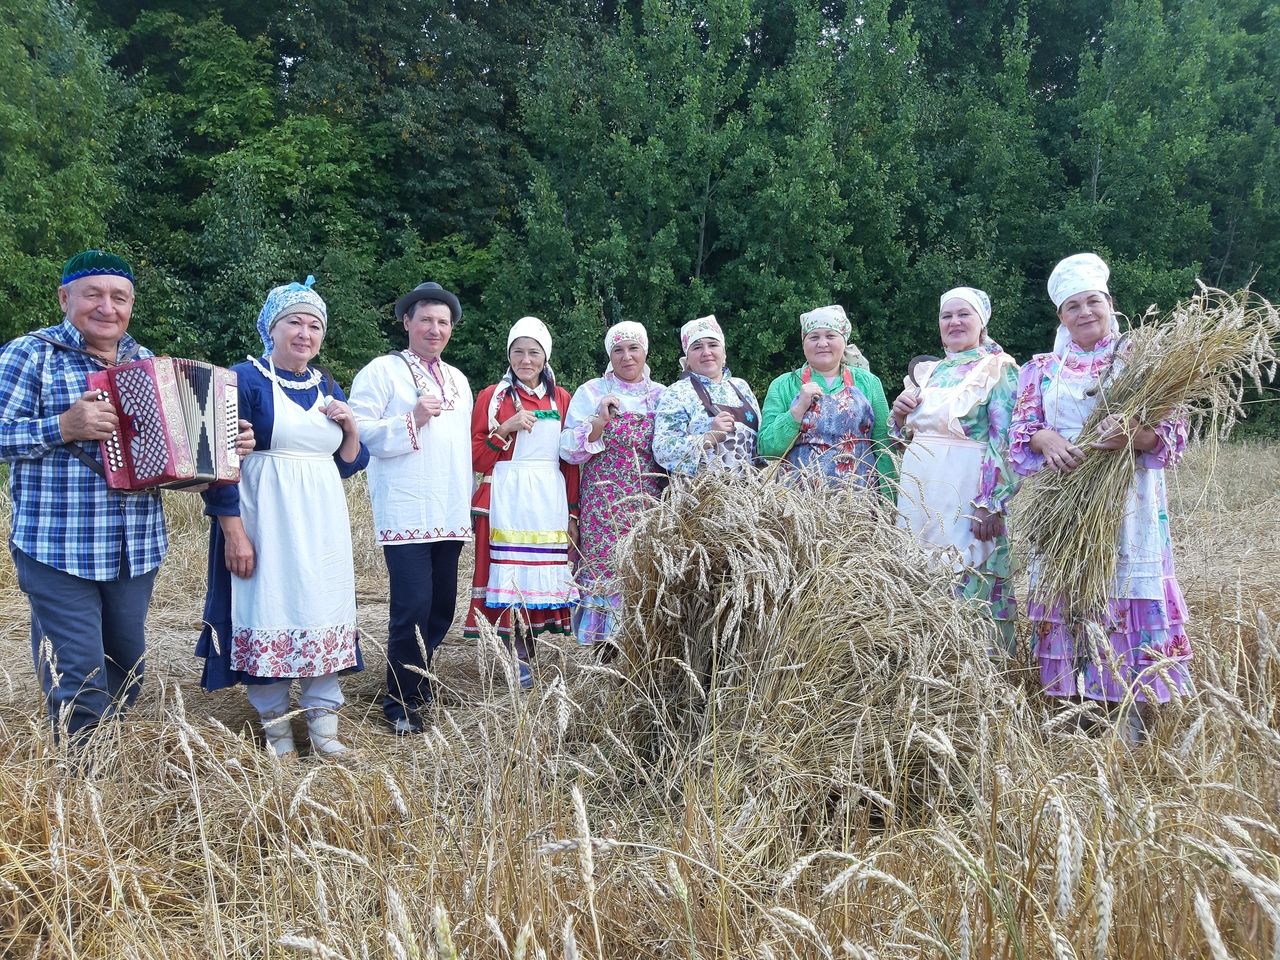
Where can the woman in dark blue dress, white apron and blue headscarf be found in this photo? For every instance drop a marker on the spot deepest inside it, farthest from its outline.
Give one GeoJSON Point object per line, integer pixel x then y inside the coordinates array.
{"type": "Point", "coordinates": [282, 592]}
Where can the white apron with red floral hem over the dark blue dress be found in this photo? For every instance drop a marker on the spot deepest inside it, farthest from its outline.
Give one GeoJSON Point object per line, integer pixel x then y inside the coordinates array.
{"type": "Point", "coordinates": [296, 615]}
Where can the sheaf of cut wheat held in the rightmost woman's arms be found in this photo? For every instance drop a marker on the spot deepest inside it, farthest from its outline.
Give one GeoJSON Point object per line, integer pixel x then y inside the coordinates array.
{"type": "Point", "coordinates": [1195, 364]}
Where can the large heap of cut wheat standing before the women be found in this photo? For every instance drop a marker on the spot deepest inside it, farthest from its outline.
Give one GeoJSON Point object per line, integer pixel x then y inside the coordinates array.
{"type": "Point", "coordinates": [798, 648]}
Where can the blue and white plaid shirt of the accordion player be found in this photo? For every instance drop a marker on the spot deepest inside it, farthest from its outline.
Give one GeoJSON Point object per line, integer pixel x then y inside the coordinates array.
{"type": "Point", "coordinates": [63, 513]}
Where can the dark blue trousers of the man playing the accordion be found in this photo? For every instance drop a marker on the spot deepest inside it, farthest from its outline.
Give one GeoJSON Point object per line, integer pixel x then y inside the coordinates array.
{"type": "Point", "coordinates": [86, 641]}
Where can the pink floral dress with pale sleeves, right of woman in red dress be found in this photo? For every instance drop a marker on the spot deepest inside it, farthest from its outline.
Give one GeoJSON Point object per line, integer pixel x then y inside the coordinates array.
{"type": "Point", "coordinates": [620, 478]}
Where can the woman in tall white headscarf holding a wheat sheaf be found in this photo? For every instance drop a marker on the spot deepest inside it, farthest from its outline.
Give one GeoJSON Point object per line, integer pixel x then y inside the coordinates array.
{"type": "Point", "coordinates": [1148, 651]}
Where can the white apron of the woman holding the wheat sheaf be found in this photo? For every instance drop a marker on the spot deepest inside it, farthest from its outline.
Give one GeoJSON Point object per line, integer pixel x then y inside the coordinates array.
{"type": "Point", "coordinates": [1140, 574]}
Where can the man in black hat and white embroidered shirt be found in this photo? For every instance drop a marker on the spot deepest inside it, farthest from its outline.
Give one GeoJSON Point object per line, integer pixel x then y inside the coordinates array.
{"type": "Point", "coordinates": [415, 417]}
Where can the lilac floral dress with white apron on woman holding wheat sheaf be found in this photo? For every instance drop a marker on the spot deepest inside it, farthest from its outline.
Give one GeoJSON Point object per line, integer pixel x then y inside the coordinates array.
{"type": "Point", "coordinates": [1146, 614]}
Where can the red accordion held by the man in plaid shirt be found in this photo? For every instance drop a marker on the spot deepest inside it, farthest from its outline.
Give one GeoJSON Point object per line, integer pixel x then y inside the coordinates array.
{"type": "Point", "coordinates": [179, 424]}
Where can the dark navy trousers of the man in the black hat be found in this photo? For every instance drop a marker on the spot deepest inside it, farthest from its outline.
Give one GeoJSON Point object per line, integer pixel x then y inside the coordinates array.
{"type": "Point", "coordinates": [424, 592]}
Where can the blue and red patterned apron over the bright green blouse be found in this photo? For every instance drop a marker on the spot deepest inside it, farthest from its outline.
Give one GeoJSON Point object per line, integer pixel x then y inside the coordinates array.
{"type": "Point", "coordinates": [836, 436]}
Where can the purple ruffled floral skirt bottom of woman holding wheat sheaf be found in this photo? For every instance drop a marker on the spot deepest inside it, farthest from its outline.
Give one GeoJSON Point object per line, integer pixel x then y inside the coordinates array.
{"type": "Point", "coordinates": [1146, 653]}
